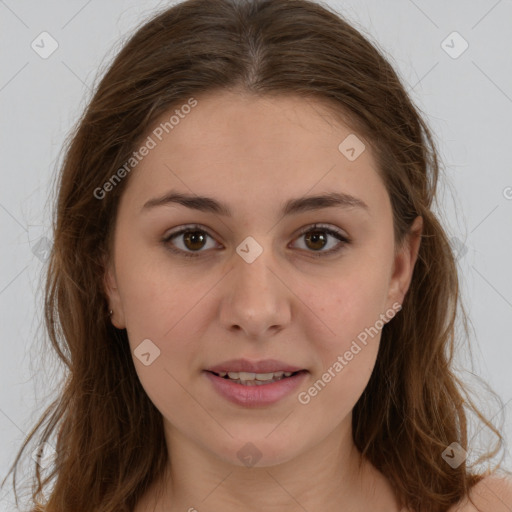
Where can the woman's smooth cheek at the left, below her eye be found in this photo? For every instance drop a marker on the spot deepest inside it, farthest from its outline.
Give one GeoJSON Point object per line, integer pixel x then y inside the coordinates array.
{"type": "Point", "coordinates": [161, 303]}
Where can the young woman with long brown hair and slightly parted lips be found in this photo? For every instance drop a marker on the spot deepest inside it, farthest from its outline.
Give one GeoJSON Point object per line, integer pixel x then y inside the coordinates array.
{"type": "Point", "coordinates": [253, 296]}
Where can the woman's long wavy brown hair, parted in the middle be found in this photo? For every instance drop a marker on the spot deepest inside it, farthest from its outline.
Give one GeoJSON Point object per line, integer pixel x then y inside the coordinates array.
{"type": "Point", "coordinates": [109, 436]}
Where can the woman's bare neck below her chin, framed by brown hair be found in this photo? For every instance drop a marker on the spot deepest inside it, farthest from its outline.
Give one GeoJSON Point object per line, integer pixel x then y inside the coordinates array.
{"type": "Point", "coordinates": [330, 475]}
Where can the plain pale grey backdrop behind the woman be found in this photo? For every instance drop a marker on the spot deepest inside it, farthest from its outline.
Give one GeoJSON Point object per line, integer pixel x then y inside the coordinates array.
{"type": "Point", "coordinates": [462, 83]}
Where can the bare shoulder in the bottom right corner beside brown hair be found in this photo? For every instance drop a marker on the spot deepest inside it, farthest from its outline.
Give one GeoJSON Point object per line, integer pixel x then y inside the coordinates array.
{"type": "Point", "coordinates": [491, 494]}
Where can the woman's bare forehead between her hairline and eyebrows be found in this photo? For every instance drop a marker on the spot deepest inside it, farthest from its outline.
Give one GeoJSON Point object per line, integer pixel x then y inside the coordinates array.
{"type": "Point", "coordinates": [237, 147]}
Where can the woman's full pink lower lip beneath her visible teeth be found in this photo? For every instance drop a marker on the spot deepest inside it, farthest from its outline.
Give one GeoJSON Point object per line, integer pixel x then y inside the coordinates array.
{"type": "Point", "coordinates": [254, 396]}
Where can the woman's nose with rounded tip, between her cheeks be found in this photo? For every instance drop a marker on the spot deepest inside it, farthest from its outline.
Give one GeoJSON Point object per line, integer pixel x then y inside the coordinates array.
{"type": "Point", "coordinates": [255, 298]}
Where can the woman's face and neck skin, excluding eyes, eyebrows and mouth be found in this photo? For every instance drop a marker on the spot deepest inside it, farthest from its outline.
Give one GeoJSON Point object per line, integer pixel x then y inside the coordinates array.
{"type": "Point", "coordinates": [253, 154]}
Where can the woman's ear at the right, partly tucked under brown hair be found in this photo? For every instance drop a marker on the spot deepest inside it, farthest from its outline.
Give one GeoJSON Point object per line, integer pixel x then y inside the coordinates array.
{"type": "Point", "coordinates": [404, 262]}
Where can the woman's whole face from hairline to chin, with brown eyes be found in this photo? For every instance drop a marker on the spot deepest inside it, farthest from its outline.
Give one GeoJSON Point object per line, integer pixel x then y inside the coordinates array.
{"type": "Point", "coordinates": [260, 271]}
